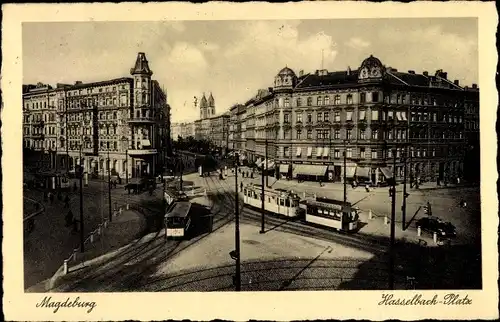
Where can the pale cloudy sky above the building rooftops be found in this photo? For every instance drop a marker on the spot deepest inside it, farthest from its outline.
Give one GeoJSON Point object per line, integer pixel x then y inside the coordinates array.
{"type": "Point", "coordinates": [233, 59]}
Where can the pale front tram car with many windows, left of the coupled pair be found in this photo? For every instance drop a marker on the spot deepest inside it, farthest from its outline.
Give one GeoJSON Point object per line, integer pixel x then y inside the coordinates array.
{"type": "Point", "coordinates": [280, 202]}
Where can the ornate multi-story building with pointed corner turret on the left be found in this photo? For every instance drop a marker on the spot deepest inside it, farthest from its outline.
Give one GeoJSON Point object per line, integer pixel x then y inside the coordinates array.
{"type": "Point", "coordinates": [126, 120]}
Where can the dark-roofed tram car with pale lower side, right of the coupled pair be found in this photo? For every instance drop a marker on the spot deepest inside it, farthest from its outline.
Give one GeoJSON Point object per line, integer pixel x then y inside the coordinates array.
{"type": "Point", "coordinates": [331, 213]}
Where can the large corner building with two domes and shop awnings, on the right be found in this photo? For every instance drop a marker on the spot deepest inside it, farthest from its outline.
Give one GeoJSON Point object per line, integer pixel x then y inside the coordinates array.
{"type": "Point", "coordinates": [309, 121]}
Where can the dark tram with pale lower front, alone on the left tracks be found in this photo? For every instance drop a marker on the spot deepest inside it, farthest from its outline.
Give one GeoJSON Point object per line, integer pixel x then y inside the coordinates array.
{"type": "Point", "coordinates": [178, 220]}
